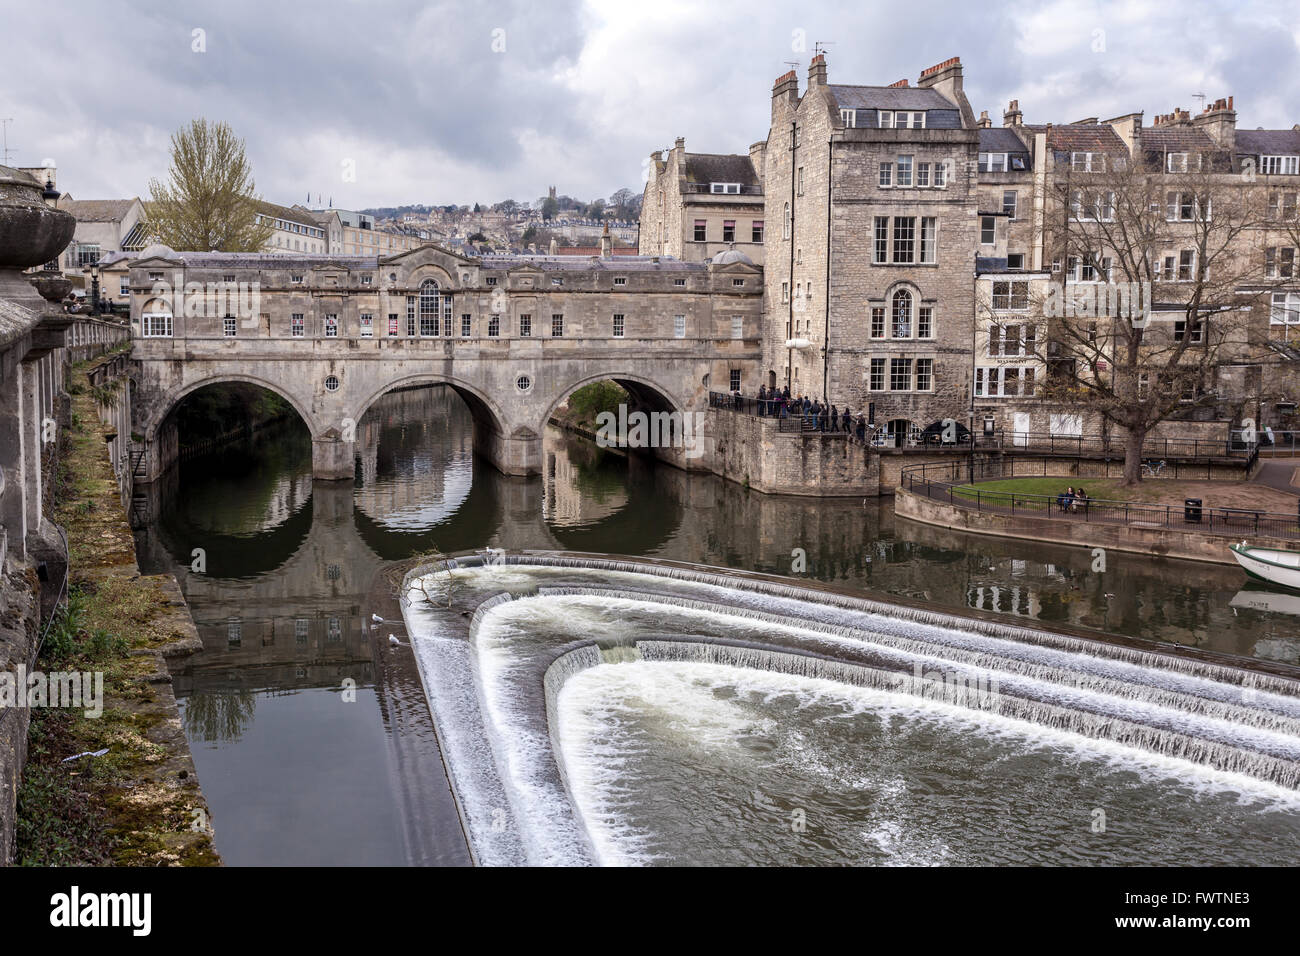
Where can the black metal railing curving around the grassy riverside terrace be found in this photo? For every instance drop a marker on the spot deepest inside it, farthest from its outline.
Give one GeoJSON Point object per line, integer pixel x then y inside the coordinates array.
{"type": "Point", "coordinates": [955, 483]}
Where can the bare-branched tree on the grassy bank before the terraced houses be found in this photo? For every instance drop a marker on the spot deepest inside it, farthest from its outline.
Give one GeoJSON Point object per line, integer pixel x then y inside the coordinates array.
{"type": "Point", "coordinates": [1155, 279]}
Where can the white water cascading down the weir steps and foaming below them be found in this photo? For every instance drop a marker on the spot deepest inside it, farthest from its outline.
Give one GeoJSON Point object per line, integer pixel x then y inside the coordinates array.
{"type": "Point", "coordinates": [570, 673]}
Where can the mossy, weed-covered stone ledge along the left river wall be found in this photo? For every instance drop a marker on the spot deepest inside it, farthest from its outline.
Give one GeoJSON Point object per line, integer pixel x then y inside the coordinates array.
{"type": "Point", "coordinates": [137, 804]}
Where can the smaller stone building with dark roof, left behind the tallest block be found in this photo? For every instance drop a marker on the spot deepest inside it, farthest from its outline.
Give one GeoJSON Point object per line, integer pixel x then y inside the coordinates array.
{"type": "Point", "coordinates": [697, 205]}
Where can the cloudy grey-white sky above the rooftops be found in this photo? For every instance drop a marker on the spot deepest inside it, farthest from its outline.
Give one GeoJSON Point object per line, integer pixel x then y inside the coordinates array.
{"type": "Point", "coordinates": [395, 102]}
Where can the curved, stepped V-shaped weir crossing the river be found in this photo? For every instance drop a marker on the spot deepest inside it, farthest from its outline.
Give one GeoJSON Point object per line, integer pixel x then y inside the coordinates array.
{"type": "Point", "coordinates": [565, 617]}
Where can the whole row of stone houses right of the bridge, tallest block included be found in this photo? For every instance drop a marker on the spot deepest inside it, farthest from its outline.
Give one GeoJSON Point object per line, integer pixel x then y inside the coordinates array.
{"type": "Point", "coordinates": [908, 248]}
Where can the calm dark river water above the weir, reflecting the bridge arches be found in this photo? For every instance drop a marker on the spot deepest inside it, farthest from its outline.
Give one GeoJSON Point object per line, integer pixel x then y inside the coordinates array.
{"type": "Point", "coordinates": [310, 732]}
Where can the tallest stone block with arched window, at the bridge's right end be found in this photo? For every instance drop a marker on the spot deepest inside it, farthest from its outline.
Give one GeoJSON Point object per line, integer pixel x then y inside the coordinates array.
{"type": "Point", "coordinates": [870, 258]}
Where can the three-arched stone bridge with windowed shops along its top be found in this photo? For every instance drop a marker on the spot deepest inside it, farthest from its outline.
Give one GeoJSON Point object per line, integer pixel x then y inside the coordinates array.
{"type": "Point", "coordinates": [514, 336]}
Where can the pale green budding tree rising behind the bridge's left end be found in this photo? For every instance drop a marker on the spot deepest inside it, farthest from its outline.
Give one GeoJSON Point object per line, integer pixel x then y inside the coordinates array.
{"type": "Point", "coordinates": [207, 202]}
